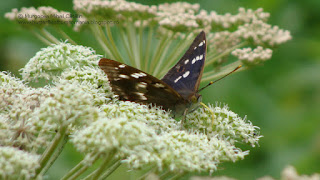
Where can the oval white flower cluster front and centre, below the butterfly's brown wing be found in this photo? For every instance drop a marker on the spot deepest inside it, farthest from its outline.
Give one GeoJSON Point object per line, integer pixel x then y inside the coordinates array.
{"type": "Point", "coordinates": [116, 134]}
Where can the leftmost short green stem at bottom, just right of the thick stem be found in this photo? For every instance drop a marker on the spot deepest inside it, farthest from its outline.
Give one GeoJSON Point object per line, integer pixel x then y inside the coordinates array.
{"type": "Point", "coordinates": [79, 169]}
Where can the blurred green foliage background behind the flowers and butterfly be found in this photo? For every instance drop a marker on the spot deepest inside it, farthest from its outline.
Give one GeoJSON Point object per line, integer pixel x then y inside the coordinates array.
{"type": "Point", "coordinates": [282, 97]}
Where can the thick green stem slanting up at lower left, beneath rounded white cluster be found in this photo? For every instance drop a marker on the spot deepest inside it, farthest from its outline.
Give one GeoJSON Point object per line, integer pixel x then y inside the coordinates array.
{"type": "Point", "coordinates": [50, 150]}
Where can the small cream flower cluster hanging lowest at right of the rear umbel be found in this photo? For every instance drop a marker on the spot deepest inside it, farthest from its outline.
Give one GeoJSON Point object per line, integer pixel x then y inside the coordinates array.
{"type": "Point", "coordinates": [253, 57]}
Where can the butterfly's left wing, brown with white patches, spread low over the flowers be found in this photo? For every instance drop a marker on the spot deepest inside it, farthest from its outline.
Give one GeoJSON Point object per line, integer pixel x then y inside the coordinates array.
{"type": "Point", "coordinates": [131, 84]}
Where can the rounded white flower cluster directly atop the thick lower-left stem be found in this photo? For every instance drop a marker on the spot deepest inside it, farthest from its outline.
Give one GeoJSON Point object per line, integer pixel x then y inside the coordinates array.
{"type": "Point", "coordinates": [68, 105]}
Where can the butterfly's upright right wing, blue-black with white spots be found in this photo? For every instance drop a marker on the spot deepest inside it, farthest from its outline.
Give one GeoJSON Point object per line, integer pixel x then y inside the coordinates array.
{"type": "Point", "coordinates": [185, 76]}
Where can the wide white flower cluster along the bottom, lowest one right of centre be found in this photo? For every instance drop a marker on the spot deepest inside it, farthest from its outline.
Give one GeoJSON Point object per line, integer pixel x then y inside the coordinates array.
{"type": "Point", "coordinates": [180, 151]}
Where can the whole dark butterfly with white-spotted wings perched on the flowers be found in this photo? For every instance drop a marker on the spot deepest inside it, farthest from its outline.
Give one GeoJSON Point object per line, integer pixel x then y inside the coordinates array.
{"type": "Point", "coordinates": [176, 91]}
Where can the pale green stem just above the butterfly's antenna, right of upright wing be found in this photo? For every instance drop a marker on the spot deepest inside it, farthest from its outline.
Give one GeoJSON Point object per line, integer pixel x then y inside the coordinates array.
{"type": "Point", "coordinates": [209, 76]}
